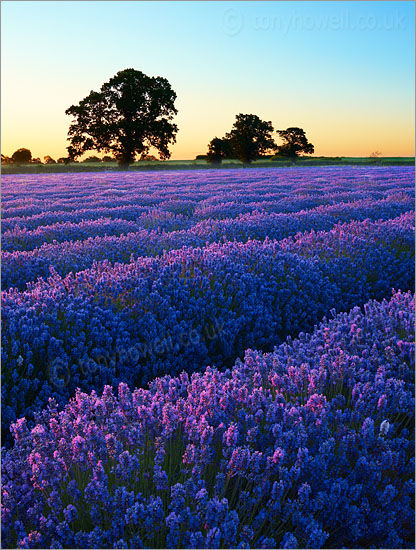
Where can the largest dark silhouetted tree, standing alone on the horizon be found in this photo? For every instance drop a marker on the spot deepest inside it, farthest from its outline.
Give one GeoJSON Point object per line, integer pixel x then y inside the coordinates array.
{"type": "Point", "coordinates": [130, 114]}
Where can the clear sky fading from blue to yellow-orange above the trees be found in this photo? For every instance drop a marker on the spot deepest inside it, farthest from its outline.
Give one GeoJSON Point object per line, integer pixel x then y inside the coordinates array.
{"type": "Point", "coordinates": [343, 71]}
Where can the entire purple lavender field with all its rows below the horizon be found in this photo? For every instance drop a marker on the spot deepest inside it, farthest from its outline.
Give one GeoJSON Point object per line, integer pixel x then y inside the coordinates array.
{"type": "Point", "coordinates": [208, 359]}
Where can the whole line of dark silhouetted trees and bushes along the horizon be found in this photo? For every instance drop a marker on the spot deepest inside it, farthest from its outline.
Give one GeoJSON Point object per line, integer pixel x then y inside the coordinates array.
{"type": "Point", "coordinates": [133, 113]}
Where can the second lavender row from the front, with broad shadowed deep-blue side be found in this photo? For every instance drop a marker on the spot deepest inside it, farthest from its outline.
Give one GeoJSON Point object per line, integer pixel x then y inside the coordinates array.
{"type": "Point", "coordinates": [188, 308]}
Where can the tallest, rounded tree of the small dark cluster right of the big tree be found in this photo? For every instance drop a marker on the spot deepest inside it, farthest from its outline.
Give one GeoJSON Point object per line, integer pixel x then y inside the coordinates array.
{"type": "Point", "coordinates": [250, 137]}
